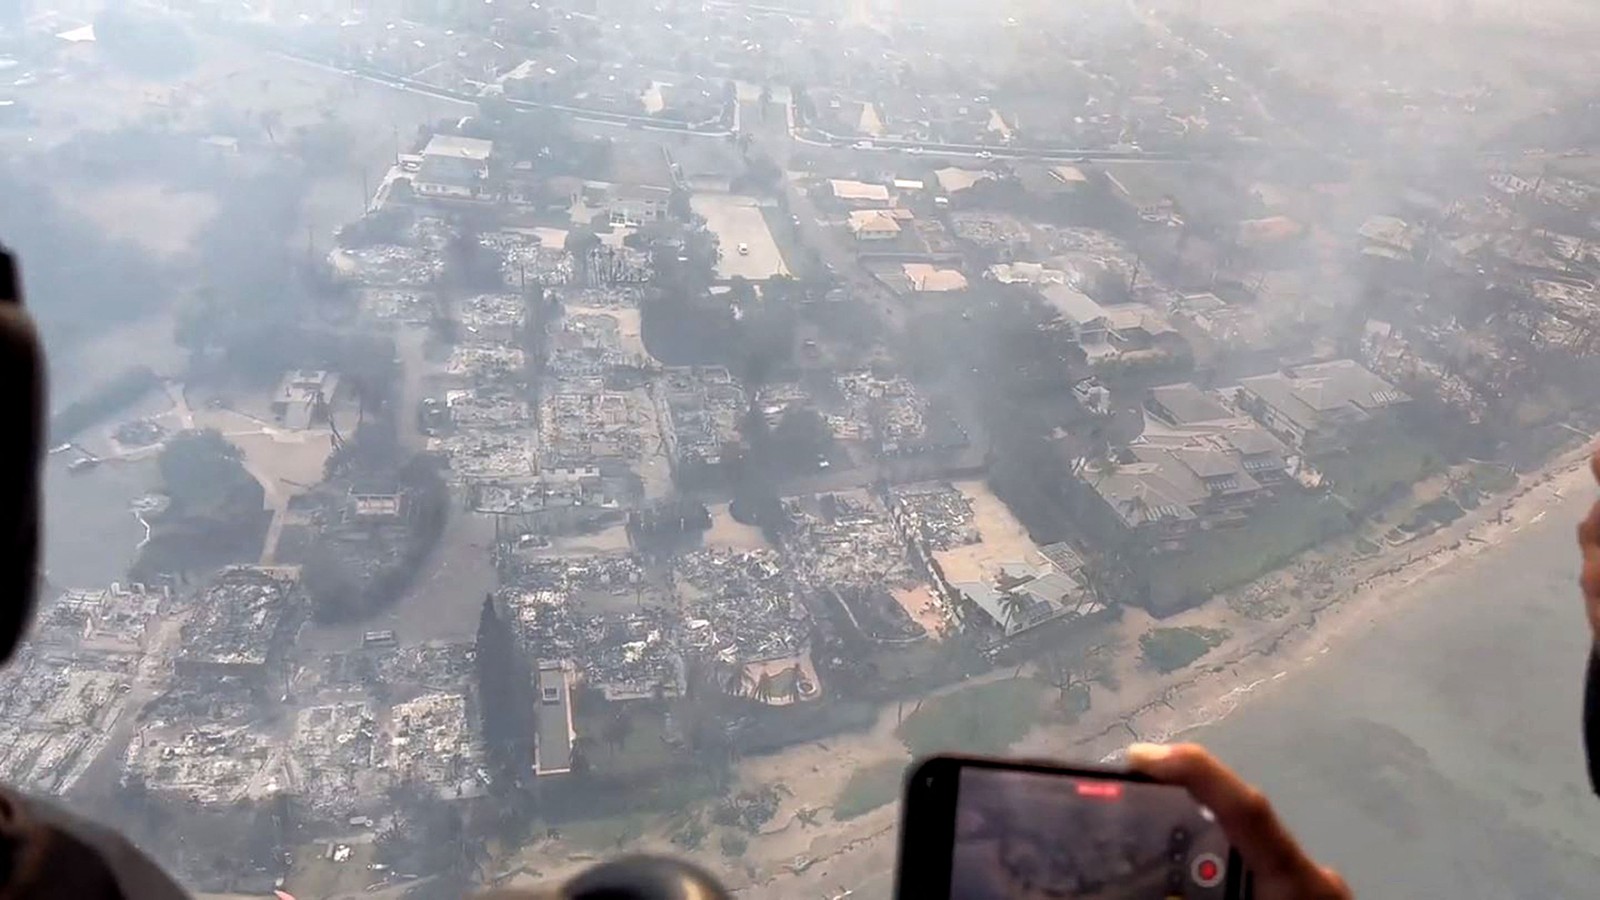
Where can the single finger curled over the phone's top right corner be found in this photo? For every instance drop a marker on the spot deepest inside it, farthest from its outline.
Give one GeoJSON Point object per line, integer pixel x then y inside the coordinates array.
{"type": "Point", "coordinates": [1241, 810]}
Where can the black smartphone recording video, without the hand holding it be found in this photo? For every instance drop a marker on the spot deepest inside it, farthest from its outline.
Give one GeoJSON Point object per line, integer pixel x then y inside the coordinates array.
{"type": "Point", "coordinates": [1001, 830]}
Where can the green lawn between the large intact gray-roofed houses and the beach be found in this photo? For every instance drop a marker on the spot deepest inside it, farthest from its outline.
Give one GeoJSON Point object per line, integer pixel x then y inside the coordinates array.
{"type": "Point", "coordinates": [1228, 558]}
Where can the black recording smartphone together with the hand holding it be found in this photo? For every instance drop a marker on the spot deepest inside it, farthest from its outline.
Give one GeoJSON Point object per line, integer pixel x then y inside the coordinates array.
{"type": "Point", "coordinates": [1177, 826]}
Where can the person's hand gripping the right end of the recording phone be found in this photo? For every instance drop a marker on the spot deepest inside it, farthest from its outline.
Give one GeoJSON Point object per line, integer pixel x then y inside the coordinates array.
{"type": "Point", "coordinates": [1281, 867]}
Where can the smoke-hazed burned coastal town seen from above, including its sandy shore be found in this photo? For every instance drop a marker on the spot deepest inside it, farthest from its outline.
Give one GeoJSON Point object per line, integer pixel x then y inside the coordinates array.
{"type": "Point", "coordinates": [494, 436]}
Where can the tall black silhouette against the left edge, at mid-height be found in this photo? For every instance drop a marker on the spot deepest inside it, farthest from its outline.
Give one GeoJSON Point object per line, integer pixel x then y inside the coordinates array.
{"type": "Point", "coordinates": [22, 452]}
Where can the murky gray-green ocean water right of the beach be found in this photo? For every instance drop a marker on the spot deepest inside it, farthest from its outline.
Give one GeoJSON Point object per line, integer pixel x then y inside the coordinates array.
{"type": "Point", "coordinates": [1438, 752]}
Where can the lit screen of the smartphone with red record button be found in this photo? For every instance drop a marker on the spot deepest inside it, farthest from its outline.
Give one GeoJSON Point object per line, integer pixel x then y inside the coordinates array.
{"type": "Point", "coordinates": [1028, 834]}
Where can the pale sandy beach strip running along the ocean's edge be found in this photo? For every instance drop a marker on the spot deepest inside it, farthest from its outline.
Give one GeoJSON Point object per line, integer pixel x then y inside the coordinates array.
{"type": "Point", "coordinates": [1209, 691]}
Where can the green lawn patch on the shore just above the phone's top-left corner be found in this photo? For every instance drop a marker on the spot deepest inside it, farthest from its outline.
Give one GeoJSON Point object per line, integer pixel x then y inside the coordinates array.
{"type": "Point", "coordinates": [983, 720]}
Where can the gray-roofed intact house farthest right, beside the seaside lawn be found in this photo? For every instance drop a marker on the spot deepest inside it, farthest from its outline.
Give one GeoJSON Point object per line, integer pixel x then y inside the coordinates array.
{"type": "Point", "coordinates": [1321, 408]}
